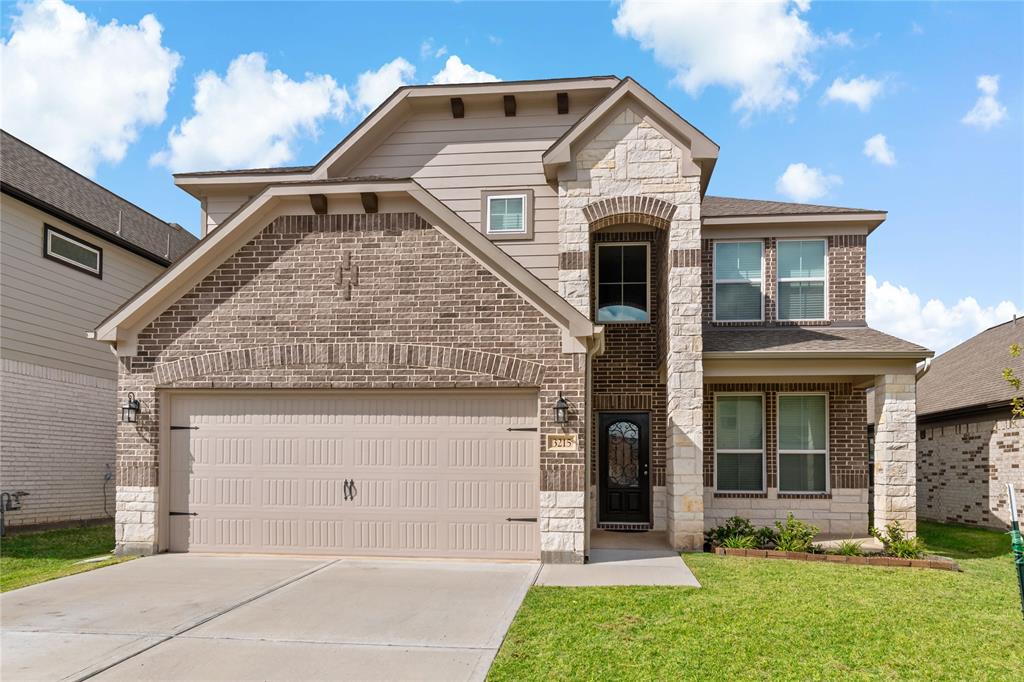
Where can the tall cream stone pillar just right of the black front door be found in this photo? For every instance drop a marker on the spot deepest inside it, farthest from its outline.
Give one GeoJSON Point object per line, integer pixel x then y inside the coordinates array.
{"type": "Point", "coordinates": [685, 374]}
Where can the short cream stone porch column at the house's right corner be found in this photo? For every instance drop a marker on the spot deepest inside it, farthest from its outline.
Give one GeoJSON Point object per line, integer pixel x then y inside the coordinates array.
{"type": "Point", "coordinates": [897, 451]}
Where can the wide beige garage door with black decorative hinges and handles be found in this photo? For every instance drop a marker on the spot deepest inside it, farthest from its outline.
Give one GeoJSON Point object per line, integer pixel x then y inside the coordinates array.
{"type": "Point", "coordinates": [379, 475]}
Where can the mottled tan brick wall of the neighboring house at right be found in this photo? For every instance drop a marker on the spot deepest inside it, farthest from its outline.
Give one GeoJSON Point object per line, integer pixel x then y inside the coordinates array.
{"type": "Point", "coordinates": [964, 467]}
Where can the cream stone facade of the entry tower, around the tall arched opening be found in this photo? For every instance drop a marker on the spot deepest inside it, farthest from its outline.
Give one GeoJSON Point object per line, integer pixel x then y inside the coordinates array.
{"type": "Point", "coordinates": [630, 164]}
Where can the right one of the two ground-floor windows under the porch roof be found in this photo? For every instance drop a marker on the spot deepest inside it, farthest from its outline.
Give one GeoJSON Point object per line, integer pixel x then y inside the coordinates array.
{"type": "Point", "coordinates": [803, 438]}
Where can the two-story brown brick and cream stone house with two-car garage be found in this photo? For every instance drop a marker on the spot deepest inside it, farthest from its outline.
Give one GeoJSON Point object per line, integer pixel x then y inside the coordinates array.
{"type": "Point", "coordinates": [495, 318]}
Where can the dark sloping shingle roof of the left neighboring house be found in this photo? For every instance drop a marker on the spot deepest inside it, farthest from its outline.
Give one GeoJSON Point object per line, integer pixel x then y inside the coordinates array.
{"type": "Point", "coordinates": [29, 172]}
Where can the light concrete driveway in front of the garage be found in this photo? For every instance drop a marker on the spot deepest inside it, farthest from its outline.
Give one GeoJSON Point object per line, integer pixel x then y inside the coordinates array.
{"type": "Point", "coordinates": [246, 618]}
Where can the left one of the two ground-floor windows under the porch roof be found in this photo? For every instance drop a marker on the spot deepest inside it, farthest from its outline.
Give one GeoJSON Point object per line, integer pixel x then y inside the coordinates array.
{"type": "Point", "coordinates": [740, 448]}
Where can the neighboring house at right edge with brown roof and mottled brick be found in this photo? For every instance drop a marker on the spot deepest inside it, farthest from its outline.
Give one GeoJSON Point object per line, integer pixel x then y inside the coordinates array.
{"type": "Point", "coordinates": [968, 446]}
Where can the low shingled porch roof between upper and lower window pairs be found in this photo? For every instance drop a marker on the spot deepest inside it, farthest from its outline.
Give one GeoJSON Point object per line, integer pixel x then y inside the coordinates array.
{"type": "Point", "coordinates": [806, 340]}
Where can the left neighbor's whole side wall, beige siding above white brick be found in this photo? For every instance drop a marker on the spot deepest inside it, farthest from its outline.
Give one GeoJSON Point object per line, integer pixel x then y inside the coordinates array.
{"type": "Point", "coordinates": [58, 389]}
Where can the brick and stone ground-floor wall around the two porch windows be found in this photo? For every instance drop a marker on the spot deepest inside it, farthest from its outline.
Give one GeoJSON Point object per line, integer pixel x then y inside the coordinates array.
{"type": "Point", "coordinates": [843, 510]}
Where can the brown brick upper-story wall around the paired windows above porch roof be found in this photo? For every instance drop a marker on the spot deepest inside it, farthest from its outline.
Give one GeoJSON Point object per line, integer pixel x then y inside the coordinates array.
{"type": "Point", "coordinates": [847, 263]}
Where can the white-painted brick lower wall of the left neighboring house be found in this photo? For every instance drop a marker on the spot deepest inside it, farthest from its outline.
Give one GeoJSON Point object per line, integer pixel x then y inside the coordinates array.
{"type": "Point", "coordinates": [57, 443]}
